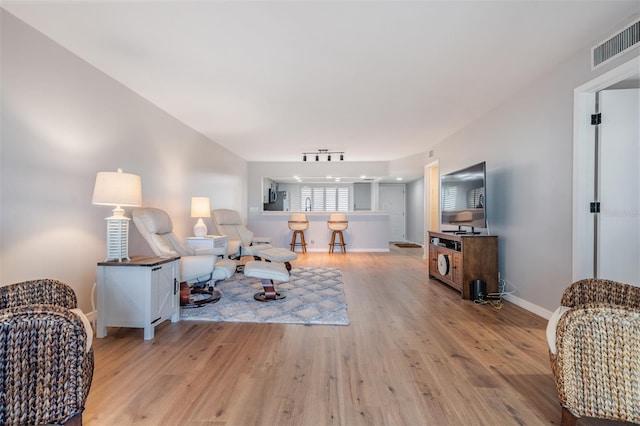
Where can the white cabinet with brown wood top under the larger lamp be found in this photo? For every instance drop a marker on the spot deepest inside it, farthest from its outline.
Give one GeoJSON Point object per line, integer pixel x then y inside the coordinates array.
{"type": "Point", "coordinates": [140, 293]}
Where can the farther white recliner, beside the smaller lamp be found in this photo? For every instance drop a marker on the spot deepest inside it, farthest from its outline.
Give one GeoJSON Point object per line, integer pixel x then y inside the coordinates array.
{"type": "Point", "coordinates": [242, 242]}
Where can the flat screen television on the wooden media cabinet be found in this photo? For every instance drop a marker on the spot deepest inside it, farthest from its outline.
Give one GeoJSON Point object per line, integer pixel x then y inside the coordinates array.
{"type": "Point", "coordinates": [462, 198]}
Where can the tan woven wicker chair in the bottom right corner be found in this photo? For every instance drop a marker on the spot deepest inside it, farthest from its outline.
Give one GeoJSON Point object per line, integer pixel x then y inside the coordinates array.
{"type": "Point", "coordinates": [596, 366]}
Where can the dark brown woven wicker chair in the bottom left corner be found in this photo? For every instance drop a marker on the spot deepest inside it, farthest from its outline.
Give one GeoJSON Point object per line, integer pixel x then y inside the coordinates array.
{"type": "Point", "coordinates": [45, 366]}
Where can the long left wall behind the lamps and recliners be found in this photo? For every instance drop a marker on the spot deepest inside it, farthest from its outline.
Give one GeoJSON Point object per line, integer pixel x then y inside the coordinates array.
{"type": "Point", "coordinates": [63, 121]}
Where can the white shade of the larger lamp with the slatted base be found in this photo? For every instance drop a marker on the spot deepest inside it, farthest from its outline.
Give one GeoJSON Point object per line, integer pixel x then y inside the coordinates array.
{"type": "Point", "coordinates": [117, 189]}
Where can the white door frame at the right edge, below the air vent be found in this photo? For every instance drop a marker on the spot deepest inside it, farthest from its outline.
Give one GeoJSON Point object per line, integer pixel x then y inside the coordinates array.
{"type": "Point", "coordinates": [585, 243]}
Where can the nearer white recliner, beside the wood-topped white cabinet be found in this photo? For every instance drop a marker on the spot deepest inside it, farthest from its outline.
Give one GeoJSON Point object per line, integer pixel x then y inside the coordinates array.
{"type": "Point", "coordinates": [199, 268]}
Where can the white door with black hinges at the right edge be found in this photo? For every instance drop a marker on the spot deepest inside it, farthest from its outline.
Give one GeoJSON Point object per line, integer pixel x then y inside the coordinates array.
{"type": "Point", "coordinates": [619, 186]}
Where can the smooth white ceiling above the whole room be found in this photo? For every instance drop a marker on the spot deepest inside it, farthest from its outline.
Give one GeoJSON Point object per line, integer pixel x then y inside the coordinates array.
{"type": "Point", "coordinates": [379, 80]}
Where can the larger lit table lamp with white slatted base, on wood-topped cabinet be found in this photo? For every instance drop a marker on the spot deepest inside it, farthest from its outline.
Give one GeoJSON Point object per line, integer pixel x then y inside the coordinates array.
{"type": "Point", "coordinates": [120, 190]}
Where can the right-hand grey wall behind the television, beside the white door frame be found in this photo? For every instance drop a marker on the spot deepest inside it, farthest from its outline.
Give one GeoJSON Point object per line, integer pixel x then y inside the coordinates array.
{"type": "Point", "coordinates": [527, 144]}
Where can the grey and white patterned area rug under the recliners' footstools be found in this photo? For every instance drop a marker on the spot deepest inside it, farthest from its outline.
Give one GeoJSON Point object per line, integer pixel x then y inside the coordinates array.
{"type": "Point", "coordinates": [314, 296]}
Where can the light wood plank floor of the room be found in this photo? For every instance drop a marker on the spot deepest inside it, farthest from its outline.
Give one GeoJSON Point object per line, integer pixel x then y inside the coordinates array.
{"type": "Point", "coordinates": [414, 354]}
